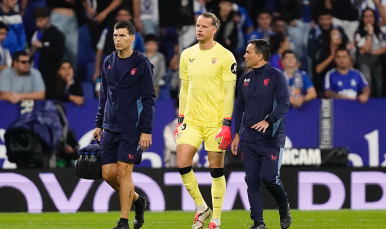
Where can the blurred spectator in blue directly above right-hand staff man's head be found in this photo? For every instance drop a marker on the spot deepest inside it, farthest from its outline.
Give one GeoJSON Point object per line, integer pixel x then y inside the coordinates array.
{"type": "Point", "coordinates": [264, 30]}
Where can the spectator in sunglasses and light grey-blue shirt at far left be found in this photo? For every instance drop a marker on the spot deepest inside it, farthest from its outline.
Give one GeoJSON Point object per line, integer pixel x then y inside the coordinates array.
{"type": "Point", "coordinates": [21, 82]}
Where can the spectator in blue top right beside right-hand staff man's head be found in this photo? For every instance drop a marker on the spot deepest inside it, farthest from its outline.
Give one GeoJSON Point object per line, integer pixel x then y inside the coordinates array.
{"type": "Point", "coordinates": [300, 85]}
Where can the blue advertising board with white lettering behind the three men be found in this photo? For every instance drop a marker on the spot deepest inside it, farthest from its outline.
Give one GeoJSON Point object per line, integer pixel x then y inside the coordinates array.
{"type": "Point", "coordinates": [317, 124]}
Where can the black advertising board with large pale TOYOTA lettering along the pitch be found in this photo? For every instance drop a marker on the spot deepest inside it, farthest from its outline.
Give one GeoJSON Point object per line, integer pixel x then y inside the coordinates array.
{"type": "Point", "coordinates": [60, 190]}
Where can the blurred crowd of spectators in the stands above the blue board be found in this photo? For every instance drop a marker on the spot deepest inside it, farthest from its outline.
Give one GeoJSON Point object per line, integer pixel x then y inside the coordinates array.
{"type": "Point", "coordinates": [54, 49]}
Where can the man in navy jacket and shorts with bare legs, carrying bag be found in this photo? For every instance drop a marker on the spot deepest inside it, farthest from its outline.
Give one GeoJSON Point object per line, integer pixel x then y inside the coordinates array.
{"type": "Point", "coordinates": [125, 113]}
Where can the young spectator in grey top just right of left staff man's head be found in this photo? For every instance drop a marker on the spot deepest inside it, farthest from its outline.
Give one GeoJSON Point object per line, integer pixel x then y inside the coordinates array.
{"type": "Point", "coordinates": [157, 59]}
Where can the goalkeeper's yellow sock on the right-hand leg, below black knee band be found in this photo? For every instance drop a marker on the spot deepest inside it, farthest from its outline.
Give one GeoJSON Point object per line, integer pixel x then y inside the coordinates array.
{"type": "Point", "coordinates": [218, 193]}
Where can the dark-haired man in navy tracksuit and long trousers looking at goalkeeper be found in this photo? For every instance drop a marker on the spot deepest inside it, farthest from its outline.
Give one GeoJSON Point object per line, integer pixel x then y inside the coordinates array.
{"type": "Point", "coordinates": [263, 101]}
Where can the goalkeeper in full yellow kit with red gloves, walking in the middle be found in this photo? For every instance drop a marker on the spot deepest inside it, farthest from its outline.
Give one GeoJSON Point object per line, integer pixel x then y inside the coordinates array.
{"type": "Point", "coordinates": [208, 78]}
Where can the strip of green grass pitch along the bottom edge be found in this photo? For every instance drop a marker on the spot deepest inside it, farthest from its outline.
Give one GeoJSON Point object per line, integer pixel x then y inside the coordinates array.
{"type": "Point", "coordinates": [177, 219]}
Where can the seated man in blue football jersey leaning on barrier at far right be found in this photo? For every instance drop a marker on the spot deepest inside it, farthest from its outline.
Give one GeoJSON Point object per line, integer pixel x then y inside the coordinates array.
{"type": "Point", "coordinates": [344, 82]}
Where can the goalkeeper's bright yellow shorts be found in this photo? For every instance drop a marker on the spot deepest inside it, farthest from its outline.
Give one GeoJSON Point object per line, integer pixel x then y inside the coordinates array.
{"type": "Point", "coordinates": [194, 136]}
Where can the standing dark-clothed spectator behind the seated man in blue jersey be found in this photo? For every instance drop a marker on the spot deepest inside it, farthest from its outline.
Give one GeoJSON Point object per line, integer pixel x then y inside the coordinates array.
{"type": "Point", "coordinates": [322, 42]}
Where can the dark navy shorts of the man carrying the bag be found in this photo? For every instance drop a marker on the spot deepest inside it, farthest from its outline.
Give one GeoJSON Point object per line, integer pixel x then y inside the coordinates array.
{"type": "Point", "coordinates": [120, 147]}
